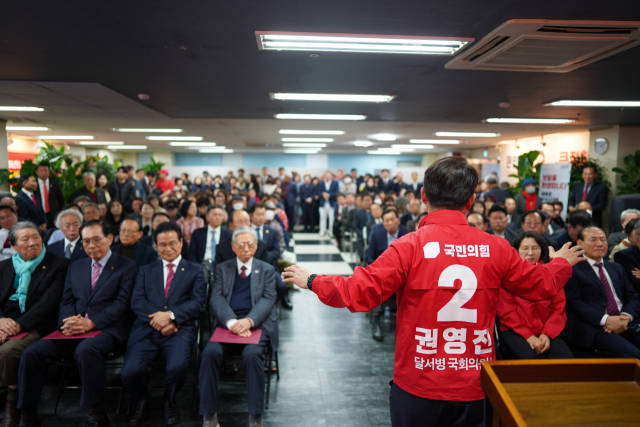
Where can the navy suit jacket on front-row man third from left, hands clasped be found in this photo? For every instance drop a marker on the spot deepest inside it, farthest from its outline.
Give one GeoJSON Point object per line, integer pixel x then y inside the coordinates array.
{"type": "Point", "coordinates": [186, 299]}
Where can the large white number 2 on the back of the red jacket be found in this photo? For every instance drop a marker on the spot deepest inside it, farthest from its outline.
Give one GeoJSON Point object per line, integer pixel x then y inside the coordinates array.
{"type": "Point", "coordinates": [453, 311]}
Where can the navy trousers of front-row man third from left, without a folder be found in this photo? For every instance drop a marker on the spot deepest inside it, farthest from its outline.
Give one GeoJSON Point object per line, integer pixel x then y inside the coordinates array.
{"type": "Point", "coordinates": [176, 353]}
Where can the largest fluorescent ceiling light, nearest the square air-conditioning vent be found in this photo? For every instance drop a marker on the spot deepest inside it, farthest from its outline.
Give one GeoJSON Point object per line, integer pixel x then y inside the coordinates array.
{"type": "Point", "coordinates": [359, 43]}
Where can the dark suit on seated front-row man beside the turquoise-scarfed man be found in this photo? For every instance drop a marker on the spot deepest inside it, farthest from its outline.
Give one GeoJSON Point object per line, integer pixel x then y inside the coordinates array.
{"type": "Point", "coordinates": [107, 305]}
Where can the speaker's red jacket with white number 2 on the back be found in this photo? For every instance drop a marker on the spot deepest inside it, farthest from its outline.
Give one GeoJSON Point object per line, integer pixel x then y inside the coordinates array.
{"type": "Point", "coordinates": [447, 276]}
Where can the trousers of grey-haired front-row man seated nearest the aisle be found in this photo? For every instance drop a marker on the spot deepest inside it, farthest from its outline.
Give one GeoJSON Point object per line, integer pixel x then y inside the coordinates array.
{"type": "Point", "coordinates": [211, 365]}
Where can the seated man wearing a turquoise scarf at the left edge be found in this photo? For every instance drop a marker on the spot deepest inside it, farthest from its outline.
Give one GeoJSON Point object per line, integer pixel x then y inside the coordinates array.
{"type": "Point", "coordinates": [30, 289]}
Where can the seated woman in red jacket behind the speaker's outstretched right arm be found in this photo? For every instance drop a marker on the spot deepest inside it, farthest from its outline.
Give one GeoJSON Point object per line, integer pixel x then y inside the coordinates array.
{"type": "Point", "coordinates": [530, 330]}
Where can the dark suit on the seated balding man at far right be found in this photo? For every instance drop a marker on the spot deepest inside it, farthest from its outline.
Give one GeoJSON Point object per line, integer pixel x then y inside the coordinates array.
{"type": "Point", "coordinates": [587, 304]}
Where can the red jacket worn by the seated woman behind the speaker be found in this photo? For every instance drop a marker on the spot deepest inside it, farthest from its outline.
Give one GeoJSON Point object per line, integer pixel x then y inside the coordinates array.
{"type": "Point", "coordinates": [528, 318]}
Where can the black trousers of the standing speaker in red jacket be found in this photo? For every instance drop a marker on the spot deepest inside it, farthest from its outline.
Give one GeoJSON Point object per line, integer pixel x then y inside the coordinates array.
{"type": "Point", "coordinates": [408, 410]}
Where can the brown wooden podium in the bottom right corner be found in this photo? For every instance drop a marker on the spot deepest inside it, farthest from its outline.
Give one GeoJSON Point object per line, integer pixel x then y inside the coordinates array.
{"type": "Point", "coordinates": [570, 392]}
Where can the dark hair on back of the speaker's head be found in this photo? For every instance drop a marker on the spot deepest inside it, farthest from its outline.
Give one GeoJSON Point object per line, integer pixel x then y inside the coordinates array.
{"type": "Point", "coordinates": [450, 183]}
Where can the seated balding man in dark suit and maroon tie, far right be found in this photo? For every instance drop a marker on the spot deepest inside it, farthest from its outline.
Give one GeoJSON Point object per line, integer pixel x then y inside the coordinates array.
{"type": "Point", "coordinates": [602, 306]}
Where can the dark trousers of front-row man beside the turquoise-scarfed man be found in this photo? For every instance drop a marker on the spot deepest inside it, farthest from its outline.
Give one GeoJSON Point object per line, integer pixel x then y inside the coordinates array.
{"type": "Point", "coordinates": [89, 354]}
